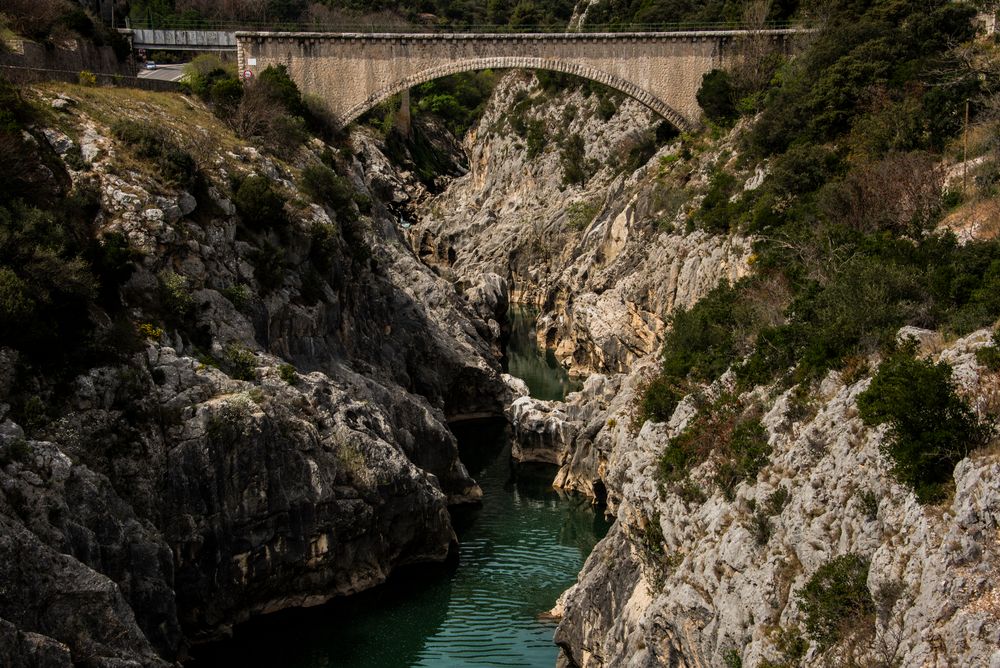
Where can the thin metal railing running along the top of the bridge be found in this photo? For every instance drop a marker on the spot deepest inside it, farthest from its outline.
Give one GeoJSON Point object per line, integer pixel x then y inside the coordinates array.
{"type": "Point", "coordinates": [169, 23]}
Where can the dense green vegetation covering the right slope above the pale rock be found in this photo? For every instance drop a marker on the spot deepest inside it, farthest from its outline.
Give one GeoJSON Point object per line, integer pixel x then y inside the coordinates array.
{"type": "Point", "coordinates": [846, 250]}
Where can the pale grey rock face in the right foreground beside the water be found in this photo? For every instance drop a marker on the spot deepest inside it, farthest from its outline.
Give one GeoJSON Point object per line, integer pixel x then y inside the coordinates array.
{"type": "Point", "coordinates": [721, 588]}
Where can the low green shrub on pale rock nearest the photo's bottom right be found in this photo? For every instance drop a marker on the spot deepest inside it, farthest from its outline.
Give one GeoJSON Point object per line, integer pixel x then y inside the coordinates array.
{"type": "Point", "coordinates": [836, 601]}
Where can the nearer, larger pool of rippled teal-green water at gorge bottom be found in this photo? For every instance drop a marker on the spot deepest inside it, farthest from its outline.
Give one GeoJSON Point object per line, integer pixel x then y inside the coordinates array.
{"type": "Point", "coordinates": [519, 551]}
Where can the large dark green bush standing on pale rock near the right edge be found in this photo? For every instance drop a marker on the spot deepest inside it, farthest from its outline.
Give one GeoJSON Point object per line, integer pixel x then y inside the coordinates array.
{"type": "Point", "coordinates": [931, 428]}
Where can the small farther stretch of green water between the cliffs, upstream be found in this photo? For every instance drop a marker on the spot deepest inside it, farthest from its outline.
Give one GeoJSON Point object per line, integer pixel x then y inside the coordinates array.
{"type": "Point", "coordinates": [546, 378]}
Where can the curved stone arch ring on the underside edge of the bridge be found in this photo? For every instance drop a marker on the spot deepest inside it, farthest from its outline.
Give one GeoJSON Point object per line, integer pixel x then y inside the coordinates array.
{"type": "Point", "coordinates": [630, 89]}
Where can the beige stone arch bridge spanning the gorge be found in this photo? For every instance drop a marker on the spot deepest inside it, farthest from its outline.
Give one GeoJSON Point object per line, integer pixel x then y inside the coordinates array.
{"type": "Point", "coordinates": [353, 72]}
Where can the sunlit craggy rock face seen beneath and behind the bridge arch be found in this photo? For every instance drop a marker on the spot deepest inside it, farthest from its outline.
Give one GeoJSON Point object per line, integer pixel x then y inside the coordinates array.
{"type": "Point", "coordinates": [605, 260]}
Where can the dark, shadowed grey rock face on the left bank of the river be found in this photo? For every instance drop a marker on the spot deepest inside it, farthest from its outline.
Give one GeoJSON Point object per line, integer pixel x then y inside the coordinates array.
{"type": "Point", "coordinates": [278, 442]}
